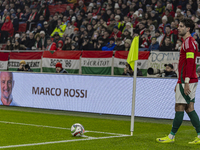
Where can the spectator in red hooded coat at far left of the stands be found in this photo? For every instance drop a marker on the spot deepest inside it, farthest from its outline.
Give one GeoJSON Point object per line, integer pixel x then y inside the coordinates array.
{"type": "Point", "coordinates": [6, 30]}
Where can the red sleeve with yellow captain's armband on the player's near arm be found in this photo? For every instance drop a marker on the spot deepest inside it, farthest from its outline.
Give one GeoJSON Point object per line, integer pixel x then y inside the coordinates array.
{"type": "Point", "coordinates": [190, 49]}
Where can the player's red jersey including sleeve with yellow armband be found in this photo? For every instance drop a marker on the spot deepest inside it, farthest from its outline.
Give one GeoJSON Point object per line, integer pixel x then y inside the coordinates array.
{"type": "Point", "coordinates": [187, 64]}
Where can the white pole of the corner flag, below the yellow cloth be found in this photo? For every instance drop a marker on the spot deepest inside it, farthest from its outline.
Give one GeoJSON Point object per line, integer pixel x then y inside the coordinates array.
{"type": "Point", "coordinates": [133, 98]}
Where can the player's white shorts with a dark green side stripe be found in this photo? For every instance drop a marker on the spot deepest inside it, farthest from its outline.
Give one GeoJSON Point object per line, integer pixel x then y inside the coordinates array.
{"type": "Point", "coordinates": [180, 95]}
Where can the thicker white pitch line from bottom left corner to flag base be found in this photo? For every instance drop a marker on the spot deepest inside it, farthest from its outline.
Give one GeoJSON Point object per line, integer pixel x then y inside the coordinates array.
{"type": "Point", "coordinates": [64, 141]}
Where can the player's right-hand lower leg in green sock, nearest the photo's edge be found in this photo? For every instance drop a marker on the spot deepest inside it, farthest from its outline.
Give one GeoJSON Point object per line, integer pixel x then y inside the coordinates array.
{"type": "Point", "coordinates": [194, 118]}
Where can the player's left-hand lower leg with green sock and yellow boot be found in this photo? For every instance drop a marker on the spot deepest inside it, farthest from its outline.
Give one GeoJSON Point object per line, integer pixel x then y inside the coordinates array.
{"type": "Point", "coordinates": [178, 119]}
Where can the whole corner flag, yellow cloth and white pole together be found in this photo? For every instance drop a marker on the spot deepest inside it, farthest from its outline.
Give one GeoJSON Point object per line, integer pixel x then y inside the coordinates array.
{"type": "Point", "coordinates": [132, 61]}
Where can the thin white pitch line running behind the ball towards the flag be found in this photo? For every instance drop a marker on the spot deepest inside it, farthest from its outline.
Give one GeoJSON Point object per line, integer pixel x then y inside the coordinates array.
{"type": "Point", "coordinates": [34, 125]}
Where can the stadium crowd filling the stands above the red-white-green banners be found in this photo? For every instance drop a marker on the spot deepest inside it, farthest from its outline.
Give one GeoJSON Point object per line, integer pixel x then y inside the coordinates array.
{"type": "Point", "coordinates": [96, 25]}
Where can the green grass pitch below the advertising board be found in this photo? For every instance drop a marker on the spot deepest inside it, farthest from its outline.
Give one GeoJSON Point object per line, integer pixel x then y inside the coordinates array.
{"type": "Point", "coordinates": [37, 129]}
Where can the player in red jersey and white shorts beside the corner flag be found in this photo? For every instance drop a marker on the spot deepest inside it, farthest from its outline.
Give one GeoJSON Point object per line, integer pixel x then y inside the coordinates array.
{"type": "Point", "coordinates": [187, 83]}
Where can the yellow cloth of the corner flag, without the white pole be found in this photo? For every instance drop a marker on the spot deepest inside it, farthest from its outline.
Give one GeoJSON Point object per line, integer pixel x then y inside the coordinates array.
{"type": "Point", "coordinates": [133, 52]}
